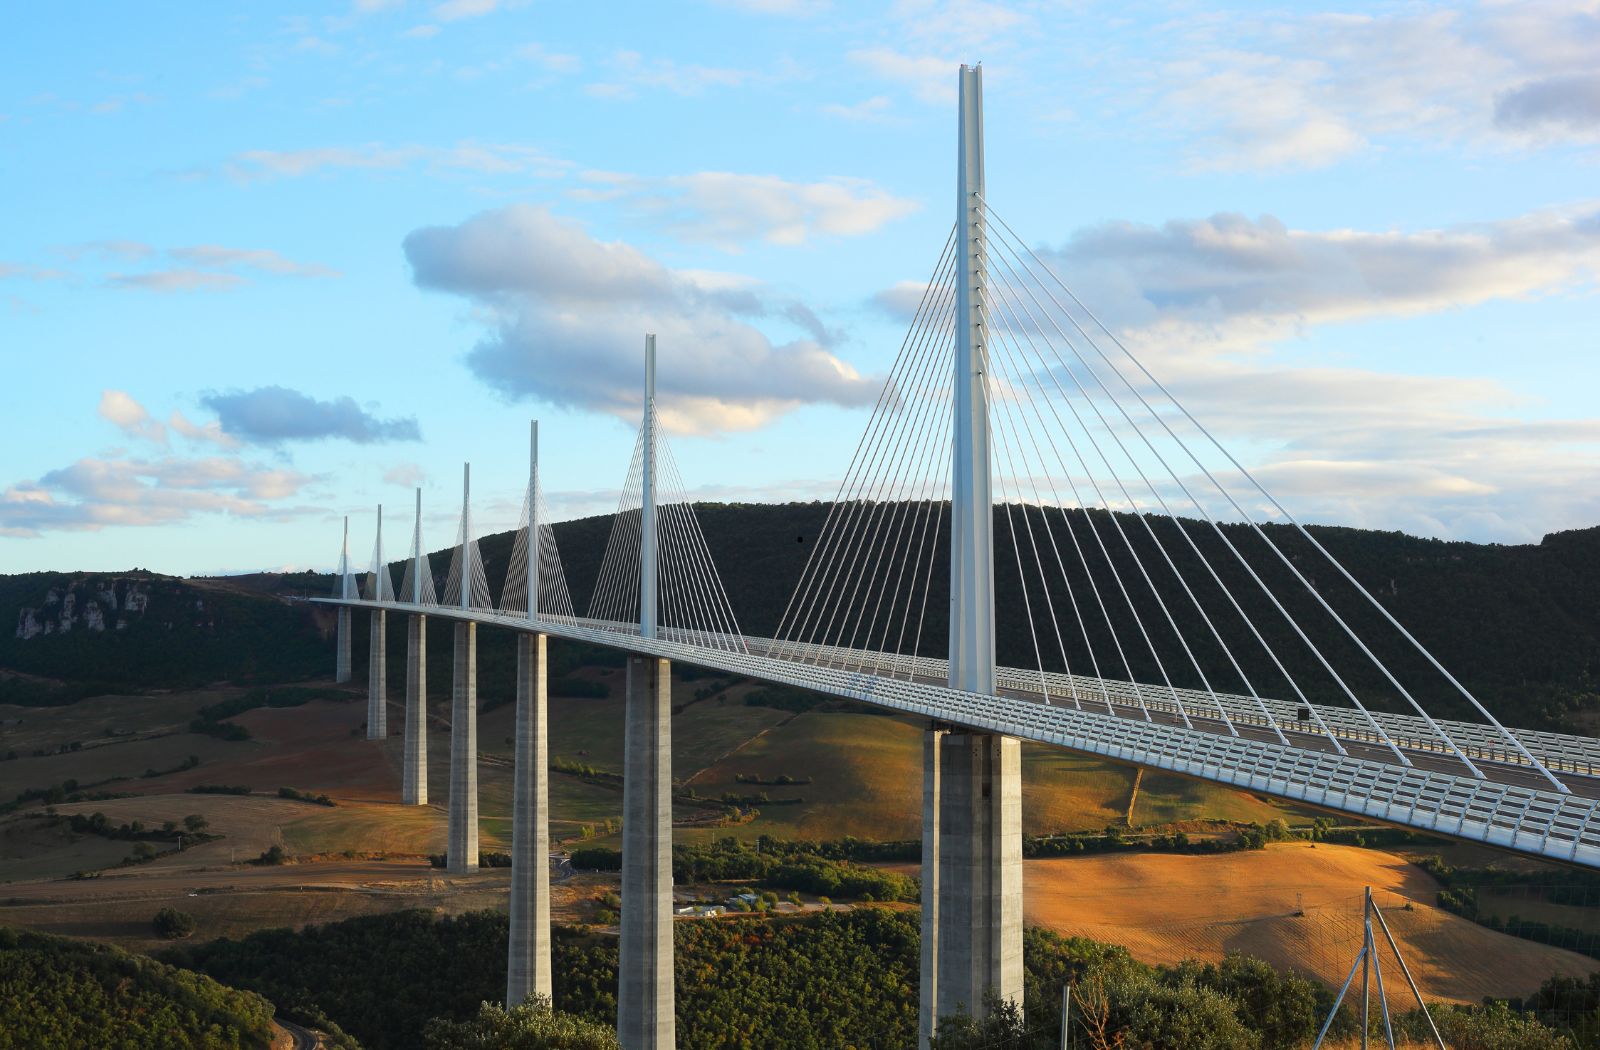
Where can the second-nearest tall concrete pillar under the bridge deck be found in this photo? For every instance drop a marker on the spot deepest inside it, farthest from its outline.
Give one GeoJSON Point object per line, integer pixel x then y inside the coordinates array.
{"type": "Point", "coordinates": [644, 1017]}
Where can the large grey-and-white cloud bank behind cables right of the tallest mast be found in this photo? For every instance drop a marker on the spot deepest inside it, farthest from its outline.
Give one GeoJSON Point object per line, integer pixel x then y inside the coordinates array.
{"type": "Point", "coordinates": [1215, 307]}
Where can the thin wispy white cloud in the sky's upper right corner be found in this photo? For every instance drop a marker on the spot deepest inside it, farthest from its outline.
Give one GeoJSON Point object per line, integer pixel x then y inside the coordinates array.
{"type": "Point", "coordinates": [1305, 90]}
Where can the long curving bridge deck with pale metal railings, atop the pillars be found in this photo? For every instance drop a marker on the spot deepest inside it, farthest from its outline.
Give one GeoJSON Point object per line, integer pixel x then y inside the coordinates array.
{"type": "Point", "coordinates": [1511, 808]}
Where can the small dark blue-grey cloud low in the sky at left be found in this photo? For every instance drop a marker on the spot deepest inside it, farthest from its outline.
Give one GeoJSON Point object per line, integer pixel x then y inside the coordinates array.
{"type": "Point", "coordinates": [273, 415]}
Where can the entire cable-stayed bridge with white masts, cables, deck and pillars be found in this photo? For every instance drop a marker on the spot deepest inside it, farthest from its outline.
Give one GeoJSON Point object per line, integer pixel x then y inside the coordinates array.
{"type": "Point", "coordinates": [1034, 540]}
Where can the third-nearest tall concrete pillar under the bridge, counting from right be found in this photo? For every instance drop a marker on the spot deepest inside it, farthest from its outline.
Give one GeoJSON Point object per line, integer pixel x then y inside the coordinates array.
{"type": "Point", "coordinates": [529, 963]}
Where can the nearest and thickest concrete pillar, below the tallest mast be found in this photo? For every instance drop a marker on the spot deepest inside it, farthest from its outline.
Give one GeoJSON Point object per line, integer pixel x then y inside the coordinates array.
{"type": "Point", "coordinates": [980, 872]}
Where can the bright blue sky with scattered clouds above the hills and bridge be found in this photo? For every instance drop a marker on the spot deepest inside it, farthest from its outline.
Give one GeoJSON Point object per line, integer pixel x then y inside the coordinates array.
{"type": "Point", "coordinates": [262, 270]}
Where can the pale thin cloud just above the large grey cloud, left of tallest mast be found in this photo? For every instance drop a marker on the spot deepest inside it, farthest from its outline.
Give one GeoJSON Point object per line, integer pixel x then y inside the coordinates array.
{"type": "Point", "coordinates": [729, 209]}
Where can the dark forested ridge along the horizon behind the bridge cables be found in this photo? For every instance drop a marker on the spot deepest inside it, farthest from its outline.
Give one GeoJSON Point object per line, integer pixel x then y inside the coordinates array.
{"type": "Point", "coordinates": [1521, 625]}
